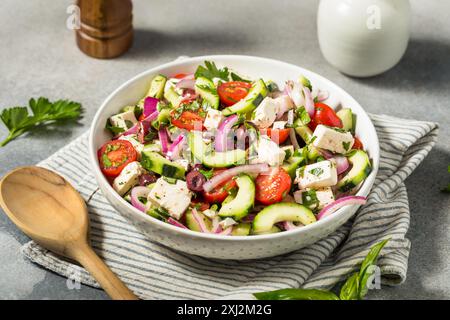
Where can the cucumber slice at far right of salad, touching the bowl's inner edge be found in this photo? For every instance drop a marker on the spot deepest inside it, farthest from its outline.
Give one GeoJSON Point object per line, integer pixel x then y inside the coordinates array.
{"type": "Point", "coordinates": [361, 168]}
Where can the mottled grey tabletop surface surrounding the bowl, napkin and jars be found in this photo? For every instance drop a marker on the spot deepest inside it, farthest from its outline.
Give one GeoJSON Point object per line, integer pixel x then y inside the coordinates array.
{"type": "Point", "coordinates": [39, 57]}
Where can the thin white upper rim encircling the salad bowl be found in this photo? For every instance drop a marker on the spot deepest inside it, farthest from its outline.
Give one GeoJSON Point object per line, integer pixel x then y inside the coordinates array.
{"type": "Point", "coordinates": [364, 190]}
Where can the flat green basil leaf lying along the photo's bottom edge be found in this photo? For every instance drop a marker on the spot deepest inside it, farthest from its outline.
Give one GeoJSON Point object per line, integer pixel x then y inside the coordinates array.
{"type": "Point", "coordinates": [296, 294]}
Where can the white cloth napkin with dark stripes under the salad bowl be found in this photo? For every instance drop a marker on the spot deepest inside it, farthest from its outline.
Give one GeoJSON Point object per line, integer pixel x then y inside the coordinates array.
{"type": "Point", "coordinates": [154, 271]}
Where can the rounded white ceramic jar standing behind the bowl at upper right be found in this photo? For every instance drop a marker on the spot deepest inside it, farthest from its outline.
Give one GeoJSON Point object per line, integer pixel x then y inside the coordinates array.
{"type": "Point", "coordinates": [363, 38]}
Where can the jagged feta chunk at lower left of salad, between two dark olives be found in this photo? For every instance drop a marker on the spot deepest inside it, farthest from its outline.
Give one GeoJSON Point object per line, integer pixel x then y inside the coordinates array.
{"type": "Point", "coordinates": [174, 197]}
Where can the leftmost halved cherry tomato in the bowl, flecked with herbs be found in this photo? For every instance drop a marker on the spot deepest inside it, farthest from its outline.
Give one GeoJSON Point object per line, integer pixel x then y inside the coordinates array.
{"type": "Point", "coordinates": [113, 156]}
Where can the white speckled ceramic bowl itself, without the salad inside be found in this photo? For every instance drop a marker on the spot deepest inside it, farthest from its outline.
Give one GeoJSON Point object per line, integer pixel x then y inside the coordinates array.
{"type": "Point", "coordinates": [216, 246]}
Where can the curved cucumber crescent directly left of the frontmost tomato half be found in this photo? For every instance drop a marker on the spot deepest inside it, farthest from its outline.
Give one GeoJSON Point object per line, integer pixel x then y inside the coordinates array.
{"type": "Point", "coordinates": [240, 206]}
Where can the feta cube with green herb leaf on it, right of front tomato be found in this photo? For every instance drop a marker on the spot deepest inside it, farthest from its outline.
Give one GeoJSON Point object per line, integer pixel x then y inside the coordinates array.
{"type": "Point", "coordinates": [317, 175]}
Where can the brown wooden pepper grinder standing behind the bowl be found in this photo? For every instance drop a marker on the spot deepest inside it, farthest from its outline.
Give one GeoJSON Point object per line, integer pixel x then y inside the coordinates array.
{"type": "Point", "coordinates": [106, 29]}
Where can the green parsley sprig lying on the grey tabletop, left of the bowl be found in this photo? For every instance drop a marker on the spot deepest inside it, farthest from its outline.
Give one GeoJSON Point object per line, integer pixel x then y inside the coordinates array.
{"type": "Point", "coordinates": [18, 120]}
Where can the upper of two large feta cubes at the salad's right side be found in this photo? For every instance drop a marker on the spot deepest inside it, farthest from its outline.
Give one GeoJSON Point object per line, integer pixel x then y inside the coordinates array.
{"type": "Point", "coordinates": [332, 139]}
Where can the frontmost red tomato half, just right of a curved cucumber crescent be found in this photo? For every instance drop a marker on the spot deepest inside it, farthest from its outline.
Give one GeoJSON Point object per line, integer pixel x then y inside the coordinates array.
{"type": "Point", "coordinates": [272, 187]}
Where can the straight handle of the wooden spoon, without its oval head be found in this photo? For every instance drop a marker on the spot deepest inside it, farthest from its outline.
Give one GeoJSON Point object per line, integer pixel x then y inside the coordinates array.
{"type": "Point", "coordinates": [115, 288]}
